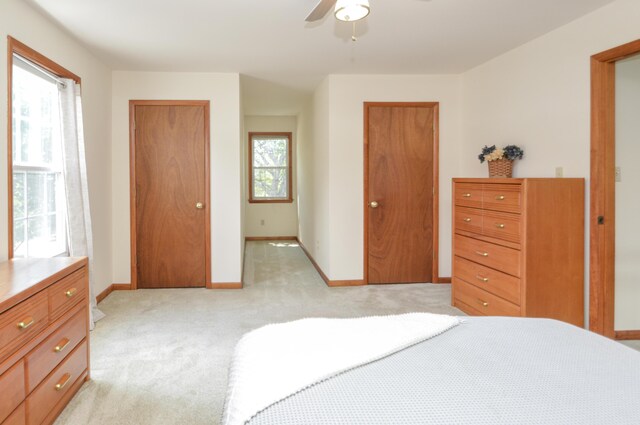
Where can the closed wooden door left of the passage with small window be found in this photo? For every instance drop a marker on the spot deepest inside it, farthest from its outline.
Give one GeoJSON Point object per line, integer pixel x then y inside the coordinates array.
{"type": "Point", "coordinates": [170, 192]}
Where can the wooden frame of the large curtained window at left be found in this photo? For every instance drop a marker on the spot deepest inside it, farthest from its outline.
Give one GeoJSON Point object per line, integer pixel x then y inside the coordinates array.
{"type": "Point", "coordinates": [16, 47]}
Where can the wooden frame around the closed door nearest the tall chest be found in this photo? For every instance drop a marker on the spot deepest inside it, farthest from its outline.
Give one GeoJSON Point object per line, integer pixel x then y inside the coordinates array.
{"type": "Point", "coordinates": [436, 178]}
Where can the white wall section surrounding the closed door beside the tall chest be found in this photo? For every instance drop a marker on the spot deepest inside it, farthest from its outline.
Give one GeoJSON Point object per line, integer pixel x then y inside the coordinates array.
{"type": "Point", "coordinates": [347, 95]}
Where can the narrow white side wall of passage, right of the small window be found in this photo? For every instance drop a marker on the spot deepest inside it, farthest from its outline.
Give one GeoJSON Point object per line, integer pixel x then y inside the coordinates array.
{"type": "Point", "coordinates": [313, 176]}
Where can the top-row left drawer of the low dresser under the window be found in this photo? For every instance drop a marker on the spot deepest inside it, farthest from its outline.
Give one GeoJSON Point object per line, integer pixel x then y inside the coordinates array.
{"type": "Point", "coordinates": [22, 322]}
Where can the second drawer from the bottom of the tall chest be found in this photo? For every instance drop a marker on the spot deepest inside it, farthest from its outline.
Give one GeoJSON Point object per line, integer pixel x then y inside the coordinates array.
{"type": "Point", "coordinates": [498, 283]}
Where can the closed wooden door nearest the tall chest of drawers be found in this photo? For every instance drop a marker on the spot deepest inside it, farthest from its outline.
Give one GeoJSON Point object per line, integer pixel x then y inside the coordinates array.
{"type": "Point", "coordinates": [400, 194]}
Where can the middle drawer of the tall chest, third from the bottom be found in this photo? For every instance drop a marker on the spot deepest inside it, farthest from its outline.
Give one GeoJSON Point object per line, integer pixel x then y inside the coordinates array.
{"type": "Point", "coordinates": [491, 255]}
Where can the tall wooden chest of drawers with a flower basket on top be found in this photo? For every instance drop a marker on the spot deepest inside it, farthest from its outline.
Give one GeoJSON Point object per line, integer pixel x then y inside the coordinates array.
{"type": "Point", "coordinates": [518, 247]}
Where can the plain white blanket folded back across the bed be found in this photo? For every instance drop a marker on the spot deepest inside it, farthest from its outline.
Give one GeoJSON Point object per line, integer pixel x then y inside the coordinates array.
{"type": "Point", "coordinates": [276, 361]}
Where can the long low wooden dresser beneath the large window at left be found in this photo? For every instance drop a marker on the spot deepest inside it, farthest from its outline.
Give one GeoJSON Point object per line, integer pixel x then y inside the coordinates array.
{"type": "Point", "coordinates": [44, 337]}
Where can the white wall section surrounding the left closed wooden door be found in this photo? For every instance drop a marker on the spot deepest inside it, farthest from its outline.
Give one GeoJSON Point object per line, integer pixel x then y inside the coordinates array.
{"type": "Point", "coordinates": [223, 92]}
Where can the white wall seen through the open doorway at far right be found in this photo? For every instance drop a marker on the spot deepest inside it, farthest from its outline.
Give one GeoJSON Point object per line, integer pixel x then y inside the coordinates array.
{"type": "Point", "coordinates": [627, 268]}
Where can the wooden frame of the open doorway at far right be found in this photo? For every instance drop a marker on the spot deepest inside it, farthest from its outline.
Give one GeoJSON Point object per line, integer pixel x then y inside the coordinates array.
{"type": "Point", "coordinates": [602, 236]}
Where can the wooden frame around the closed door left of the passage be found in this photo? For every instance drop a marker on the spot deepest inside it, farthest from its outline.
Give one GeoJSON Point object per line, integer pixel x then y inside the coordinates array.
{"type": "Point", "coordinates": [132, 180]}
